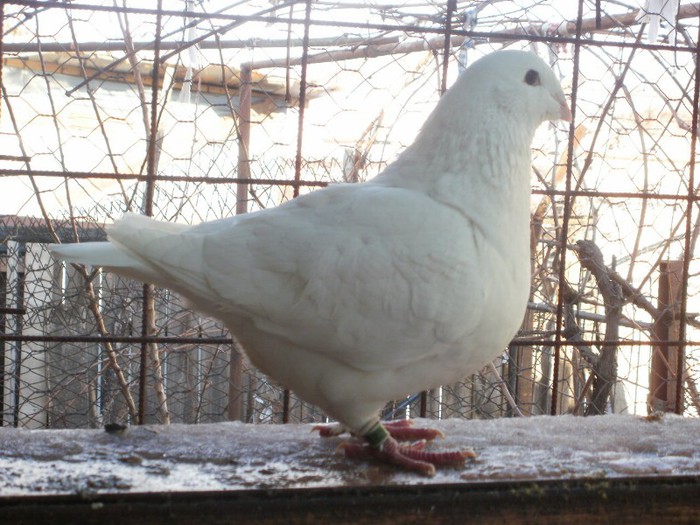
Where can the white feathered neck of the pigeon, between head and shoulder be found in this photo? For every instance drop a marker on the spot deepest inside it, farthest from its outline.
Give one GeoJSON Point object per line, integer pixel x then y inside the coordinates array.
{"type": "Point", "coordinates": [484, 173]}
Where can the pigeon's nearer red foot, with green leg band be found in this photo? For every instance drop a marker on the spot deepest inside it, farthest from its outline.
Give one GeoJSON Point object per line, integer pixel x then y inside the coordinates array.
{"type": "Point", "coordinates": [380, 445]}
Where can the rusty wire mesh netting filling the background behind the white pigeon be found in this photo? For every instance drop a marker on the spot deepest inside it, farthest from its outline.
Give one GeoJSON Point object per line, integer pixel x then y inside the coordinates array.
{"type": "Point", "coordinates": [191, 111]}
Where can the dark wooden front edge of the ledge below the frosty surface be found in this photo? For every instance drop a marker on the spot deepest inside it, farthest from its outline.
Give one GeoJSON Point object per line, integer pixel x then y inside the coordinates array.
{"type": "Point", "coordinates": [632, 501]}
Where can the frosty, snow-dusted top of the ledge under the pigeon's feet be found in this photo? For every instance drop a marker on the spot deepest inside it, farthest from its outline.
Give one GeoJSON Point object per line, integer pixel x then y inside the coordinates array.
{"type": "Point", "coordinates": [231, 456]}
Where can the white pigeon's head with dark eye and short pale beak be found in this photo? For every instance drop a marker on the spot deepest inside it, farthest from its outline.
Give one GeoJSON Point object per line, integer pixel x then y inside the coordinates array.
{"type": "Point", "coordinates": [522, 85]}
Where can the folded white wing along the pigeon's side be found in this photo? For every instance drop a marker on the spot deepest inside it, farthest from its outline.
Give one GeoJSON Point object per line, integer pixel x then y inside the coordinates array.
{"type": "Point", "coordinates": [371, 276]}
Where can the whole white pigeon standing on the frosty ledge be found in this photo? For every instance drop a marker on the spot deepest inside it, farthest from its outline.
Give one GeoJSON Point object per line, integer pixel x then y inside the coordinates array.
{"type": "Point", "coordinates": [358, 294]}
